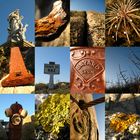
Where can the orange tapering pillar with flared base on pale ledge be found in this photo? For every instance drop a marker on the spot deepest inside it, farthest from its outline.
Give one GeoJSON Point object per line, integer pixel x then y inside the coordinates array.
{"type": "Point", "coordinates": [18, 74]}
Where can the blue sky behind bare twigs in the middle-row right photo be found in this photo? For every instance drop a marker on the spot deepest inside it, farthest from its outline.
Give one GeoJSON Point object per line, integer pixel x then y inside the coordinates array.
{"type": "Point", "coordinates": [116, 56]}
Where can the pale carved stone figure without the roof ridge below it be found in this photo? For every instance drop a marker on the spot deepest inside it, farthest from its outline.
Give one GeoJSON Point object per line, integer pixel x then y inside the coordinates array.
{"type": "Point", "coordinates": [16, 29]}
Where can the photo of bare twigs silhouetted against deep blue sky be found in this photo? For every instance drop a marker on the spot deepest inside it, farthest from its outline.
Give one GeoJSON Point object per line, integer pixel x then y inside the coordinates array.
{"type": "Point", "coordinates": [122, 70]}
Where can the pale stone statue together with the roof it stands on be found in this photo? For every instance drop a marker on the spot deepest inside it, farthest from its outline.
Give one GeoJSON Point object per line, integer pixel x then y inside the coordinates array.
{"type": "Point", "coordinates": [16, 31]}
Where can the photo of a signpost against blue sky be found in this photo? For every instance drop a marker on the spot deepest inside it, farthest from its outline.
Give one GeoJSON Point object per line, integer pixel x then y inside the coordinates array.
{"type": "Point", "coordinates": [52, 70]}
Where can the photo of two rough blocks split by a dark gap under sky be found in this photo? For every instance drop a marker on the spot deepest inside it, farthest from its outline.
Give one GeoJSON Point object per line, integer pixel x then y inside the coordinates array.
{"type": "Point", "coordinates": [87, 23]}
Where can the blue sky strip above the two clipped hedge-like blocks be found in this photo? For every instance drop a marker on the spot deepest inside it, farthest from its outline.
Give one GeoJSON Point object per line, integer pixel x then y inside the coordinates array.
{"type": "Point", "coordinates": [85, 5]}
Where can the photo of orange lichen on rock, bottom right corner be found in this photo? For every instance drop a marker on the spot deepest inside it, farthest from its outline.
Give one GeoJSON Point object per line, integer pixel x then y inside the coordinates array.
{"type": "Point", "coordinates": [122, 116]}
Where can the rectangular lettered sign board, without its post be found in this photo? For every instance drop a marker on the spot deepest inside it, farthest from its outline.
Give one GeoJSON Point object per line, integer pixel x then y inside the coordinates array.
{"type": "Point", "coordinates": [51, 68]}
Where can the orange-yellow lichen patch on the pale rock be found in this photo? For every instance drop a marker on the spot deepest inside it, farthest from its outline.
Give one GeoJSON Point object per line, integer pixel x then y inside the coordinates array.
{"type": "Point", "coordinates": [121, 121]}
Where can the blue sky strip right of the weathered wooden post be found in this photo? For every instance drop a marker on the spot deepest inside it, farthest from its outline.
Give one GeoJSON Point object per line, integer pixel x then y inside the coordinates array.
{"type": "Point", "coordinates": [100, 113]}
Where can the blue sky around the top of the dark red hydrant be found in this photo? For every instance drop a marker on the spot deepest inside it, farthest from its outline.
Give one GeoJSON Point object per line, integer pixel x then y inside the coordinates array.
{"type": "Point", "coordinates": [26, 100]}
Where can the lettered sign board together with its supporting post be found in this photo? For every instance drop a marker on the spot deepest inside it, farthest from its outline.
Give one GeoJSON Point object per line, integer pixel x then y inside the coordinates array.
{"type": "Point", "coordinates": [51, 69]}
